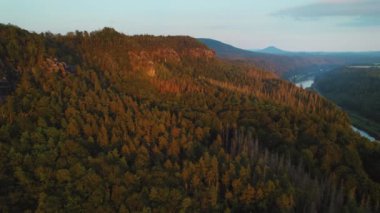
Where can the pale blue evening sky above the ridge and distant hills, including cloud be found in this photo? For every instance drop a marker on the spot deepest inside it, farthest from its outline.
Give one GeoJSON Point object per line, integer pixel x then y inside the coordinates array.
{"type": "Point", "coordinates": [297, 25]}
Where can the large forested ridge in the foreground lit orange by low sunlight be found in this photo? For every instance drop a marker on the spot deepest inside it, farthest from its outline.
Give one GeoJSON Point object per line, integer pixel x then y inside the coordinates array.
{"type": "Point", "coordinates": [106, 122]}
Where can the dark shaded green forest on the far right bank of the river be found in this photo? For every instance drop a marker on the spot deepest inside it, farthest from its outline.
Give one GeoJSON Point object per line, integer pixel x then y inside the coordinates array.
{"type": "Point", "coordinates": [355, 89]}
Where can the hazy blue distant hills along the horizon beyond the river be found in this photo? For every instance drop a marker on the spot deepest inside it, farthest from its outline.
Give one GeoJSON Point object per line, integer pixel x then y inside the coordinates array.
{"type": "Point", "coordinates": [288, 63]}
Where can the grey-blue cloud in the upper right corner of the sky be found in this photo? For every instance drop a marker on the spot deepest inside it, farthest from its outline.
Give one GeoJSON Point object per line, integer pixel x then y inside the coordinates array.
{"type": "Point", "coordinates": [362, 12]}
